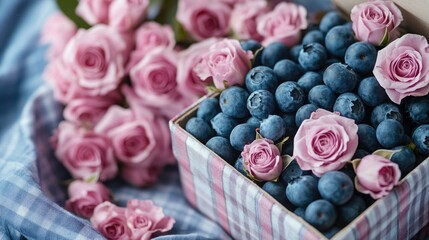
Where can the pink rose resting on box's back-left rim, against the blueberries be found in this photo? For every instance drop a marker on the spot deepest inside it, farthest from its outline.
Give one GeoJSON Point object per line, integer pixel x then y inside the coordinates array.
{"type": "Point", "coordinates": [225, 62]}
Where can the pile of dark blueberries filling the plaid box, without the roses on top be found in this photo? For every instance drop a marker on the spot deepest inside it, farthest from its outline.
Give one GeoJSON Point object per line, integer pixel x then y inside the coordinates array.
{"type": "Point", "coordinates": [330, 69]}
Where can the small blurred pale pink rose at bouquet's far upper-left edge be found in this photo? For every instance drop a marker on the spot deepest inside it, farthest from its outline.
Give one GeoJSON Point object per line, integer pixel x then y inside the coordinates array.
{"type": "Point", "coordinates": [57, 31]}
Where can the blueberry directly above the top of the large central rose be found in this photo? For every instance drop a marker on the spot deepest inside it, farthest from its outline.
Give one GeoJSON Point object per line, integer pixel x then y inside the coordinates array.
{"type": "Point", "coordinates": [322, 96]}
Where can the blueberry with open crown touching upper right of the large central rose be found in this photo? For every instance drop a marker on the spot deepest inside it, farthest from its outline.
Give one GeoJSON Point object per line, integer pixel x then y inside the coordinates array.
{"type": "Point", "coordinates": [350, 105]}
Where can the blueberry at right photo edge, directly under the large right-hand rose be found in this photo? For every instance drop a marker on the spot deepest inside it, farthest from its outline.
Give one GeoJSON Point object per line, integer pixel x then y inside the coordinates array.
{"type": "Point", "coordinates": [418, 110]}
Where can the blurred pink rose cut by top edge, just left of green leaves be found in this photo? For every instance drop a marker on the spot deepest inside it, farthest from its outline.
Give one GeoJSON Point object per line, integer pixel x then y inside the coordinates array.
{"type": "Point", "coordinates": [124, 15]}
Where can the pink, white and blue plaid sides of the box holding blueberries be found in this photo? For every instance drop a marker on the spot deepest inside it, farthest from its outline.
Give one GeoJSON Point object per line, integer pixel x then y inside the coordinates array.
{"type": "Point", "coordinates": [245, 211]}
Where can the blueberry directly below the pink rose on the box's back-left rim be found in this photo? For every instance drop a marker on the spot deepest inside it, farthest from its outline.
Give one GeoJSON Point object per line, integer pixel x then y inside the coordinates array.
{"type": "Point", "coordinates": [233, 102]}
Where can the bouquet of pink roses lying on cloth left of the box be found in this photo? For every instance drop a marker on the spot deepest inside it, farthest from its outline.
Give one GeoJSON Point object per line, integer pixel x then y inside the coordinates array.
{"type": "Point", "coordinates": [123, 68]}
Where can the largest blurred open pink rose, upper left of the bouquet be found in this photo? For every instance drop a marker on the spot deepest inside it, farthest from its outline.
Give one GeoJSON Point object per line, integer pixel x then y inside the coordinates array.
{"type": "Point", "coordinates": [97, 56]}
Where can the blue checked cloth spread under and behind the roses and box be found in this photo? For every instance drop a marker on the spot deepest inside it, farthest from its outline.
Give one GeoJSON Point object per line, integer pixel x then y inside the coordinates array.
{"type": "Point", "coordinates": [32, 181]}
